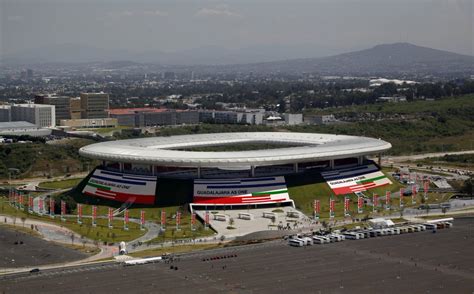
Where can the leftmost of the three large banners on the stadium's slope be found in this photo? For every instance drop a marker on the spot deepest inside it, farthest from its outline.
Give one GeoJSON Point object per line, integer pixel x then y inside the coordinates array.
{"type": "Point", "coordinates": [121, 187]}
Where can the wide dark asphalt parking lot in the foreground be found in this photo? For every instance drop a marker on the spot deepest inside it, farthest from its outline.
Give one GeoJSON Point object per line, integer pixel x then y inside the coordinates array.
{"type": "Point", "coordinates": [416, 262]}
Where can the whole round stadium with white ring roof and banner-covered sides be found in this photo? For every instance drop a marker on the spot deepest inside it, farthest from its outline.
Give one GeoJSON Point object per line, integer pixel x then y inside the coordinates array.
{"type": "Point", "coordinates": [239, 170]}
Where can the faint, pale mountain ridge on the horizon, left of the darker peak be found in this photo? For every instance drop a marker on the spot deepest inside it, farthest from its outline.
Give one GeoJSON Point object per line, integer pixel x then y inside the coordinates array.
{"type": "Point", "coordinates": [210, 55]}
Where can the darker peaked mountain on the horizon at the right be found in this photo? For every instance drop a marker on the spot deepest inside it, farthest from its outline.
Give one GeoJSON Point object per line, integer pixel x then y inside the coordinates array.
{"type": "Point", "coordinates": [387, 58]}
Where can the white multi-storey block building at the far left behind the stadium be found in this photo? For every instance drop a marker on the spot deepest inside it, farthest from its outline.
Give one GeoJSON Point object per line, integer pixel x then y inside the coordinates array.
{"type": "Point", "coordinates": [41, 115]}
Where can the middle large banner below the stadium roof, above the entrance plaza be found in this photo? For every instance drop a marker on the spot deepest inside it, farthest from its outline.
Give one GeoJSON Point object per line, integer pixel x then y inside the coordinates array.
{"type": "Point", "coordinates": [240, 191]}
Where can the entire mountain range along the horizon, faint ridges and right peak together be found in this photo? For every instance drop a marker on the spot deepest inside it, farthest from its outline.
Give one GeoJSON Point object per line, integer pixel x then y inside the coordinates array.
{"type": "Point", "coordinates": [397, 58]}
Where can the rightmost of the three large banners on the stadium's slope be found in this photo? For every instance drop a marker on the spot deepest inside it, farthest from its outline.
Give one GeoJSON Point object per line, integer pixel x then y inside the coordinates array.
{"type": "Point", "coordinates": [356, 179]}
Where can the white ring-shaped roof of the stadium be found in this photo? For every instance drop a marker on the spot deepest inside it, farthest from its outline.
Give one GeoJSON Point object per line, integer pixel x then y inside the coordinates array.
{"type": "Point", "coordinates": [162, 150]}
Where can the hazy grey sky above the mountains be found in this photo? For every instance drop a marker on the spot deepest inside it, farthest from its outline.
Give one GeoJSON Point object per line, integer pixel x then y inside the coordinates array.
{"type": "Point", "coordinates": [140, 25]}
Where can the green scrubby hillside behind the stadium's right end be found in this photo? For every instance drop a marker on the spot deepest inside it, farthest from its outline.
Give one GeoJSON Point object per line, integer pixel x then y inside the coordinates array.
{"type": "Point", "coordinates": [411, 127]}
